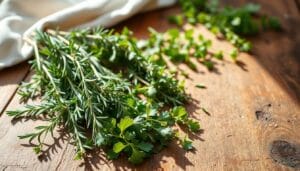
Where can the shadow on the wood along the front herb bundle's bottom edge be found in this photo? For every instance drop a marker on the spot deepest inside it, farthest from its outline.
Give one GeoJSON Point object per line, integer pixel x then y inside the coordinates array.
{"type": "Point", "coordinates": [163, 160]}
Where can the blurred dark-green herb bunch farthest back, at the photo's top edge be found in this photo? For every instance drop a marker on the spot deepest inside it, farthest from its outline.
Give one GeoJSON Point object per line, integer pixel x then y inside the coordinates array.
{"type": "Point", "coordinates": [229, 21]}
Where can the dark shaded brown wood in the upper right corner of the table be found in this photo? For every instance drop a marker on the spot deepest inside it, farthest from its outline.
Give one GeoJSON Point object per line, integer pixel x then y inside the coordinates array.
{"type": "Point", "coordinates": [279, 52]}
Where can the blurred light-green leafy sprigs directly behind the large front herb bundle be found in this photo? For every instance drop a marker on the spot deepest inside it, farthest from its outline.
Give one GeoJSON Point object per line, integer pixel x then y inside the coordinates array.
{"type": "Point", "coordinates": [179, 47]}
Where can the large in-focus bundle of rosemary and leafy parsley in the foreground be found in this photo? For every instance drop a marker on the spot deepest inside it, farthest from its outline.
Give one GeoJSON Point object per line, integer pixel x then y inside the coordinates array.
{"type": "Point", "coordinates": [105, 92]}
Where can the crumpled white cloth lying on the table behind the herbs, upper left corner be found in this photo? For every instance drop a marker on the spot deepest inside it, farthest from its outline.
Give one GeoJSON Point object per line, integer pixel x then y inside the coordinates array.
{"type": "Point", "coordinates": [20, 18]}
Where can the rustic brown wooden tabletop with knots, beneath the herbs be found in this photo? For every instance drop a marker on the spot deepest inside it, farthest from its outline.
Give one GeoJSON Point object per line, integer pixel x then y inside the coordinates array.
{"type": "Point", "coordinates": [254, 105]}
